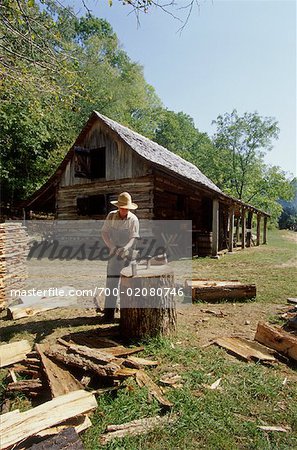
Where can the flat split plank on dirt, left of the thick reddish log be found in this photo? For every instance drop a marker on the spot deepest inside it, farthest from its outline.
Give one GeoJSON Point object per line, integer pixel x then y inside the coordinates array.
{"type": "Point", "coordinates": [246, 350]}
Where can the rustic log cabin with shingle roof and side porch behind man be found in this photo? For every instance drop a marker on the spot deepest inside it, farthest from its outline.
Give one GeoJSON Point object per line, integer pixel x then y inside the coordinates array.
{"type": "Point", "coordinates": [108, 158]}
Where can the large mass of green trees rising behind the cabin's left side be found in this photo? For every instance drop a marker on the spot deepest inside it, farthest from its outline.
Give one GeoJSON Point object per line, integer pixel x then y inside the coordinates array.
{"type": "Point", "coordinates": [41, 111]}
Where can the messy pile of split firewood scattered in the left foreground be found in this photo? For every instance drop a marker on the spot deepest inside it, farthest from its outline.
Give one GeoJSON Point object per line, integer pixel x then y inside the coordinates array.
{"type": "Point", "coordinates": [62, 378]}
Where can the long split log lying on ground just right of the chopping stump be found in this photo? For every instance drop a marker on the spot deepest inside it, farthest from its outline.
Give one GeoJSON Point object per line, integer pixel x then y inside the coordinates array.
{"type": "Point", "coordinates": [216, 290]}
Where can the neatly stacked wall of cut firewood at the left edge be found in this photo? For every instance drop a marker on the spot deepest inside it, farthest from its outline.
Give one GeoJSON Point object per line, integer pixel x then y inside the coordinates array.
{"type": "Point", "coordinates": [13, 253]}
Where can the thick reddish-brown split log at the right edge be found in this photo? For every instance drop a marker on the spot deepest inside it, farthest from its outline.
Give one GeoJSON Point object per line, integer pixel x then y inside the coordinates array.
{"type": "Point", "coordinates": [278, 339]}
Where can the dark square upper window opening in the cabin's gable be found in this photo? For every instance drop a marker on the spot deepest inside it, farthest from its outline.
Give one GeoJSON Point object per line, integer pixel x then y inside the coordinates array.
{"type": "Point", "coordinates": [90, 163]}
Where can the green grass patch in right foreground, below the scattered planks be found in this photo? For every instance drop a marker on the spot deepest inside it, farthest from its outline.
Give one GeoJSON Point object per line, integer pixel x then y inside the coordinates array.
{"type": "Point", "coordinates": [251, 395]}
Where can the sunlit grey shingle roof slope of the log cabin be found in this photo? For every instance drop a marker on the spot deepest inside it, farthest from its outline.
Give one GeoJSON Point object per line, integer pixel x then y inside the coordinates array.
{"type": "Point", "coordinates": [158, 155]}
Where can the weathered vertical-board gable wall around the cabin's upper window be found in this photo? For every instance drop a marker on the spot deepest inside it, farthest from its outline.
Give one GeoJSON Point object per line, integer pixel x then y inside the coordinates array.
{"type": "Point", "coordinates": [121, 161]}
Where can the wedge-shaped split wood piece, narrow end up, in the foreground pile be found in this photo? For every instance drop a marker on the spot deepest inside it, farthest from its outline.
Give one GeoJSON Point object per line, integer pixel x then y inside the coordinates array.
{"type": "Point", "coordinates": [59, 378]}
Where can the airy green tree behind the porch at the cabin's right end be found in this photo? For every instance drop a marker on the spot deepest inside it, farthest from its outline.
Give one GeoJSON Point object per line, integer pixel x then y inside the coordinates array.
{"type": "Point", "coordinates": [240, 143]}
